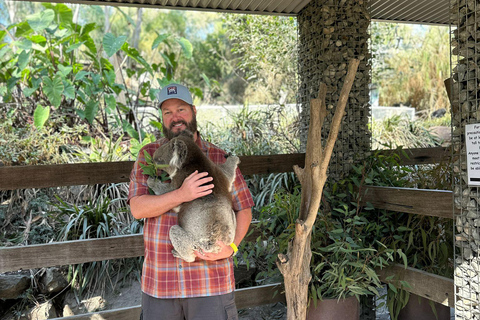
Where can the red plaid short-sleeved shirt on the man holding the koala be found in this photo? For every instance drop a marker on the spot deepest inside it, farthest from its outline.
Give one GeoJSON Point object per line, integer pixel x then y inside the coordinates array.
{"type": "Point", "coordinates": [165, 276]}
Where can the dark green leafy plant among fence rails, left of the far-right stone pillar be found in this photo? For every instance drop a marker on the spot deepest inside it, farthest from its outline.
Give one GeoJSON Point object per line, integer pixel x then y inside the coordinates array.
{"type": "Point", "coordinates": [427, 242]}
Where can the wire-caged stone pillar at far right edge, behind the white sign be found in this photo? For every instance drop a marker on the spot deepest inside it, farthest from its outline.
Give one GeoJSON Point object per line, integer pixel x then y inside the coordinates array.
{"type": "Point", "coordinates": [465, 110]}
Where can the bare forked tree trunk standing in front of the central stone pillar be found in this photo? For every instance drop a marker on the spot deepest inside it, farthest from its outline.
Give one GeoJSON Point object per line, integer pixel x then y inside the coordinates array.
{"type": "Point", "coordinates": [295, 265]}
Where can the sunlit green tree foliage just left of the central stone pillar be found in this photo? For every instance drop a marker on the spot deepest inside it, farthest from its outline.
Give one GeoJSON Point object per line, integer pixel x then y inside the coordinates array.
{"type": "Point", "coordinates": [266, 49]}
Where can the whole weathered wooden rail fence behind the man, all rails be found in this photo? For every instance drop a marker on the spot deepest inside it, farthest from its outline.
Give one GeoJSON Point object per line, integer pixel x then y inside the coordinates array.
{"type": "Point", "coordinates": [424, 202]}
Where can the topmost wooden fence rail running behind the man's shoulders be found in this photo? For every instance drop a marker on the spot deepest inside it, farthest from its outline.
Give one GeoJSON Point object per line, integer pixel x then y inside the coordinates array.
{"type": "Point", "coordinates": [44, 176]}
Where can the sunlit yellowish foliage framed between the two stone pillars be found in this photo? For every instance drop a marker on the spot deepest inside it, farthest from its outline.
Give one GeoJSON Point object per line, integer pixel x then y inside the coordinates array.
{"type": "Point", "coordinates": [410, 65]}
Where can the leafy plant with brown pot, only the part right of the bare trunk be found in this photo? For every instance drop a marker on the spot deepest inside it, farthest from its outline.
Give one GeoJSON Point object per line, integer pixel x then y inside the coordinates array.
{"type": "Point", "coordinates": [346, 251]}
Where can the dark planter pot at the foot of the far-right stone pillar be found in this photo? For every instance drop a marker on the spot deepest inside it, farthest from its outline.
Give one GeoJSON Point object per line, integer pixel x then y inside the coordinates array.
{"type": "Point", "coordinates": [419, 308]}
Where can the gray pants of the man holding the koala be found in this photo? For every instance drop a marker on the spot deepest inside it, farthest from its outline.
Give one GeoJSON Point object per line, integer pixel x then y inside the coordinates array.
{"type": "Point", "coordinates": [202, 308]}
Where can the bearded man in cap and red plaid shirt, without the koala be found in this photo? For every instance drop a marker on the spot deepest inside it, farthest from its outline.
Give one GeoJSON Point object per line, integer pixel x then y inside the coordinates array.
{"type": "Point", "coordinates": [173, 289]}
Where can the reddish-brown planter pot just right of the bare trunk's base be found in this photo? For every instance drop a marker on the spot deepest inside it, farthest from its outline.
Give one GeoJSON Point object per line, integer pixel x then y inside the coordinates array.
{"type": "Point", "coordinates": [333, 309]}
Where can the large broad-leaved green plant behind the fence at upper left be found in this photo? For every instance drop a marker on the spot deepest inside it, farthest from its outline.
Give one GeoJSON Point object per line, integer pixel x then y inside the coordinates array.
{"type": "Point", "coordinates": [56, 72]}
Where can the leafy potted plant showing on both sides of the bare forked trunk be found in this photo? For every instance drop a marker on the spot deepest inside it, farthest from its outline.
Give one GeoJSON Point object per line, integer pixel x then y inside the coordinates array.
{"type": "Point", "coordinates": [345, 249]}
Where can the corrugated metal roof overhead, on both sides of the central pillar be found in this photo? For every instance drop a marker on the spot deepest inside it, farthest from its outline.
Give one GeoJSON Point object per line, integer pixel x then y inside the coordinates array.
{"type": "Point", "coordinates": [411, 11]}
